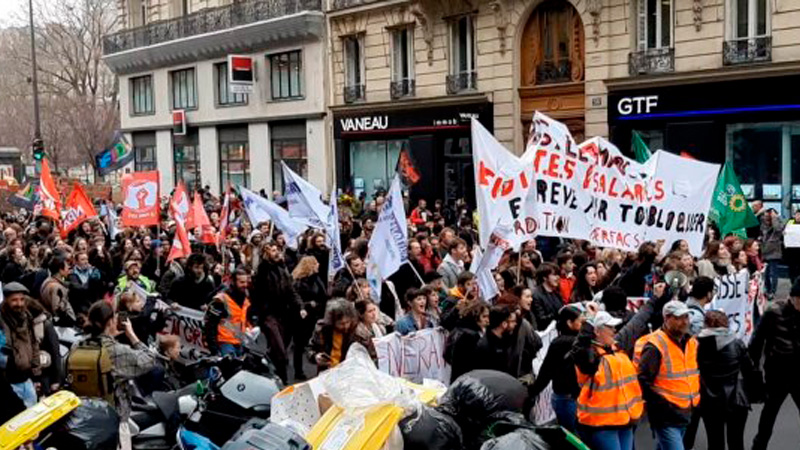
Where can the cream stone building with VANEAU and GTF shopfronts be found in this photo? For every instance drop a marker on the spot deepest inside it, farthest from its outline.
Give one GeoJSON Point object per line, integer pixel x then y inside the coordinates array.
{"type": "Point", "coordinates": [682, 73]}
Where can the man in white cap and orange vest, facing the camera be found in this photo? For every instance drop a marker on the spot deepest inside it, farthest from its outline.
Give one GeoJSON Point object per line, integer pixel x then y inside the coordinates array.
{"type": "Point", "coordinates": [666, 361]}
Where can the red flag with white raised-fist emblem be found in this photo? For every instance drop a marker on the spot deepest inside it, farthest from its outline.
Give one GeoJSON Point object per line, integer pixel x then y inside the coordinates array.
{"type": "Point", "coordinates": [141, 204]}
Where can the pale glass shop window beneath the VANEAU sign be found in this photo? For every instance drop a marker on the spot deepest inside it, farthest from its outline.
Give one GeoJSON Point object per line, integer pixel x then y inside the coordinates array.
{"type": "Point", "coordinates": [373, 164]}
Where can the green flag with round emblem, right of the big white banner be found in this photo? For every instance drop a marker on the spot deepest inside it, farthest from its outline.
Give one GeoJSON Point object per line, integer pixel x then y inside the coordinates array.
{"type": "Point", "coordinates": [729, 207]}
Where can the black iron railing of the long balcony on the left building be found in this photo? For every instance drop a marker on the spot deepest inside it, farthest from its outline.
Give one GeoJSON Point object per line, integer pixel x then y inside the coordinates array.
{"type": "Point", "coordinates": [205, 21]}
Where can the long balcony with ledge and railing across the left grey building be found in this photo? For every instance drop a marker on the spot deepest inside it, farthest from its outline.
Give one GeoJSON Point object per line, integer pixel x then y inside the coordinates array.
{"type": "Point", "coordinates": [240, 27]}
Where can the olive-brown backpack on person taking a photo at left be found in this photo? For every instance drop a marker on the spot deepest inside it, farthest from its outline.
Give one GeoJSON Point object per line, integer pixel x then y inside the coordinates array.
{"type": "Point", "coordinates": [89, 370]}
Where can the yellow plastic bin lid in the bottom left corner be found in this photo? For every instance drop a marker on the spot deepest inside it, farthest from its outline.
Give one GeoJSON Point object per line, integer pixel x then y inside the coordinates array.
{"type": "Point", "coordinates": [27, 425]}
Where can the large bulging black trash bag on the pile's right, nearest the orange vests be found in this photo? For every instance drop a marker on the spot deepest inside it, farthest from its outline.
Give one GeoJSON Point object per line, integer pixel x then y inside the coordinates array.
{"type": "Point", "coordinates": [475, 396]}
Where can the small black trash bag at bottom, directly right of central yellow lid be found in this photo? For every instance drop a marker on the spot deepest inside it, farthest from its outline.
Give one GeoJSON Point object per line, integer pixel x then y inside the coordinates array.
{"type": "Point", "coordinates": [430, 430]}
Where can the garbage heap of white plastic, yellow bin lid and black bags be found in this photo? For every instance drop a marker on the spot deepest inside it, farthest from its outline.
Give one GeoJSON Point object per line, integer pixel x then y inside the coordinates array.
{"type": "Point", "coordinates": [372, 410]}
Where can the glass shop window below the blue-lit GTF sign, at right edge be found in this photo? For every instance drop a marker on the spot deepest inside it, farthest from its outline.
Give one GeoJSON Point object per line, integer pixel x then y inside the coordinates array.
{"type": "Point", "coordinates": [766, 158]}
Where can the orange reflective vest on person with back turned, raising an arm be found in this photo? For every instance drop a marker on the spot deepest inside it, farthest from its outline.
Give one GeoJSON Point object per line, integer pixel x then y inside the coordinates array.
{"type": "Point", "coordinates": [612, 397]}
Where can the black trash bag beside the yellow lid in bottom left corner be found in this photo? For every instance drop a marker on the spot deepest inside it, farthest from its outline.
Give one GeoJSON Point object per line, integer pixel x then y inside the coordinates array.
{"type": "Point", "coordinates": [94, 425]}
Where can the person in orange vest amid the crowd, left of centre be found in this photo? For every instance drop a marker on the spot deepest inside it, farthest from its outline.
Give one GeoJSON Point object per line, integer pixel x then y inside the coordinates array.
{"type": "Point", "coordinates": [228, 317]}
